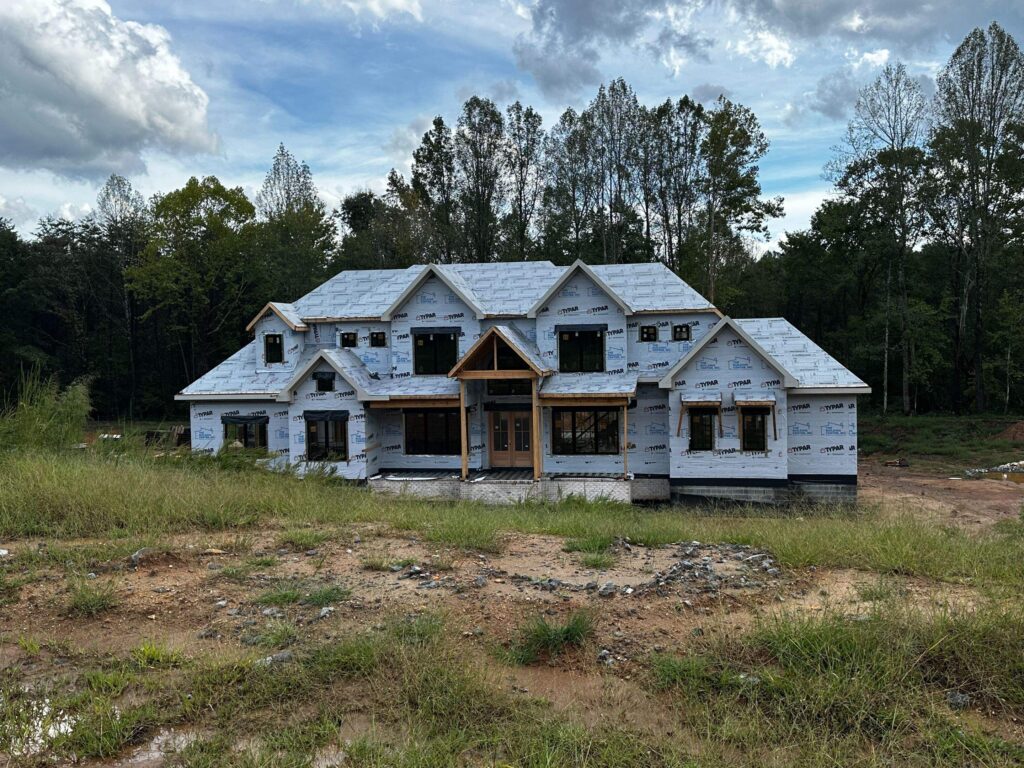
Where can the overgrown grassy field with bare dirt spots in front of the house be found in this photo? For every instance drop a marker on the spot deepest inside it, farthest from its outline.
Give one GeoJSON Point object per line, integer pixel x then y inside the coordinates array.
{"type": "Point", "coordinates": [903, 678]}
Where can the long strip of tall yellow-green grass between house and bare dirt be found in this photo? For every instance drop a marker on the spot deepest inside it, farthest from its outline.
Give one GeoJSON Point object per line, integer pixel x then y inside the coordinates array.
{"type": "Point", "coordinates": [89, 495]}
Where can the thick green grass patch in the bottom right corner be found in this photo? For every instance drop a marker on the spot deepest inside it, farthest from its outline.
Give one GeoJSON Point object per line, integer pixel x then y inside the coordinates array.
{"type": "Point", "coordinates": [844, 688]}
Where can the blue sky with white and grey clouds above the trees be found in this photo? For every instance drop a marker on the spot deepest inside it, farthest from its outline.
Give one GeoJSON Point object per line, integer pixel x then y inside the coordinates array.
{"type": "Point", "coordinates": [161, 92]}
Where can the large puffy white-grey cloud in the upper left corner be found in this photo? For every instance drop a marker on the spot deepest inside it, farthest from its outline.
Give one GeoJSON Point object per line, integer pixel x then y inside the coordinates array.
{"type": "Point", "coordinates": [86, 93]}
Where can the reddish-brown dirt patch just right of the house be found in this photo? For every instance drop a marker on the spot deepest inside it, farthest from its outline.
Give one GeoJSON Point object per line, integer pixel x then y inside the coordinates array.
{"type": "Point", "coordinates": [948, 501]}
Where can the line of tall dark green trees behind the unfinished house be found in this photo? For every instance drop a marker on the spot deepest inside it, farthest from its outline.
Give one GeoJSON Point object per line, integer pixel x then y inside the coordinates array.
{"type": "Point", "coordinates": [911, 274]}
